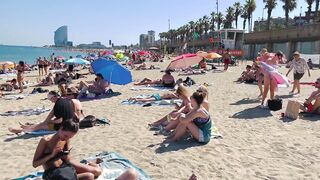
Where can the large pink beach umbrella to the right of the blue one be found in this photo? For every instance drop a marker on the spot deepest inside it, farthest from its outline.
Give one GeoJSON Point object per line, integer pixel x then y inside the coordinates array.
{"type": "Point", "coordinates": [184, 61]}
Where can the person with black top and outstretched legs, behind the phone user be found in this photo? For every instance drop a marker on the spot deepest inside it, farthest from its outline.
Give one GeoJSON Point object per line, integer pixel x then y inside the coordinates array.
{"type": "Point", "coordinates": [63, 108]}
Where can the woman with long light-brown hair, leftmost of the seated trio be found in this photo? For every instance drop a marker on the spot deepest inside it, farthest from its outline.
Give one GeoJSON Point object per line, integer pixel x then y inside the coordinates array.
{"type": "Point", "coordinates": [185, 107]}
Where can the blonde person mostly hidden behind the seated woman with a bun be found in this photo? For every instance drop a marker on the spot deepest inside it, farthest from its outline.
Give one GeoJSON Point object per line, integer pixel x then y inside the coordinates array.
{"type": "Point", "coordinates": [173, 123]}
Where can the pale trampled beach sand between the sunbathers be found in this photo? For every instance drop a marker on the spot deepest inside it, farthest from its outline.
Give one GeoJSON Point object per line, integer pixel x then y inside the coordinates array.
{"type": "Point", "coordinates": [256, 144]}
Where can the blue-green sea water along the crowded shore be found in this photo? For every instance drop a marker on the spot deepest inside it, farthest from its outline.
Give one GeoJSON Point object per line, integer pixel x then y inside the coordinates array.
{"type": "Point", "coordinates": [29, 54]}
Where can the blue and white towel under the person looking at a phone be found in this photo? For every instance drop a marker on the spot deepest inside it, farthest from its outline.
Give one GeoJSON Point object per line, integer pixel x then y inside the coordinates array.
{"type": "Point", "coordinates": [113, 166]}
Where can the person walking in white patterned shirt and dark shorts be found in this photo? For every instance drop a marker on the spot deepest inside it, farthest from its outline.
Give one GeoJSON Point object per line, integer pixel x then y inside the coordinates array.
{"type": "Point", "coordinates": [299, 66]}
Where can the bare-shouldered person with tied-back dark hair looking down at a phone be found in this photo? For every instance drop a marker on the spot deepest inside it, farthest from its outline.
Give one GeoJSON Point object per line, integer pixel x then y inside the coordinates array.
{"type": "Point", "coordinates": [53, 153]}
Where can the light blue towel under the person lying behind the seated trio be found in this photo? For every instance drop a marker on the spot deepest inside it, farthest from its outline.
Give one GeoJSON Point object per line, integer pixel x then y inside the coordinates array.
{"type": "Point", "coordinates": [157, 103]}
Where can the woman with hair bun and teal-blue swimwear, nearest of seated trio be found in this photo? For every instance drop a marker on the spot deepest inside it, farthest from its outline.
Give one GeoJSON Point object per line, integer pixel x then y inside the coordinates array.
{"type": "Point", "coordinates": [197, 121]}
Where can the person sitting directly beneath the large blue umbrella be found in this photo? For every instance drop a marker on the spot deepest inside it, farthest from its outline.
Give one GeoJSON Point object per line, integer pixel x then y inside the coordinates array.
{"type": "Point", "coordinates": [100, 86]}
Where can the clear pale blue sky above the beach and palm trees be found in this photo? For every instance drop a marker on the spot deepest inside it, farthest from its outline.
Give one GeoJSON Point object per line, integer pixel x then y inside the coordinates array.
{"type": "Point", "coordinates": [33, 22]}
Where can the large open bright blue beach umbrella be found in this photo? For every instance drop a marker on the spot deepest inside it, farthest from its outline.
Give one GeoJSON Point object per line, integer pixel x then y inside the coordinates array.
{"type": "Point", "coordinates": [112, 71]}
